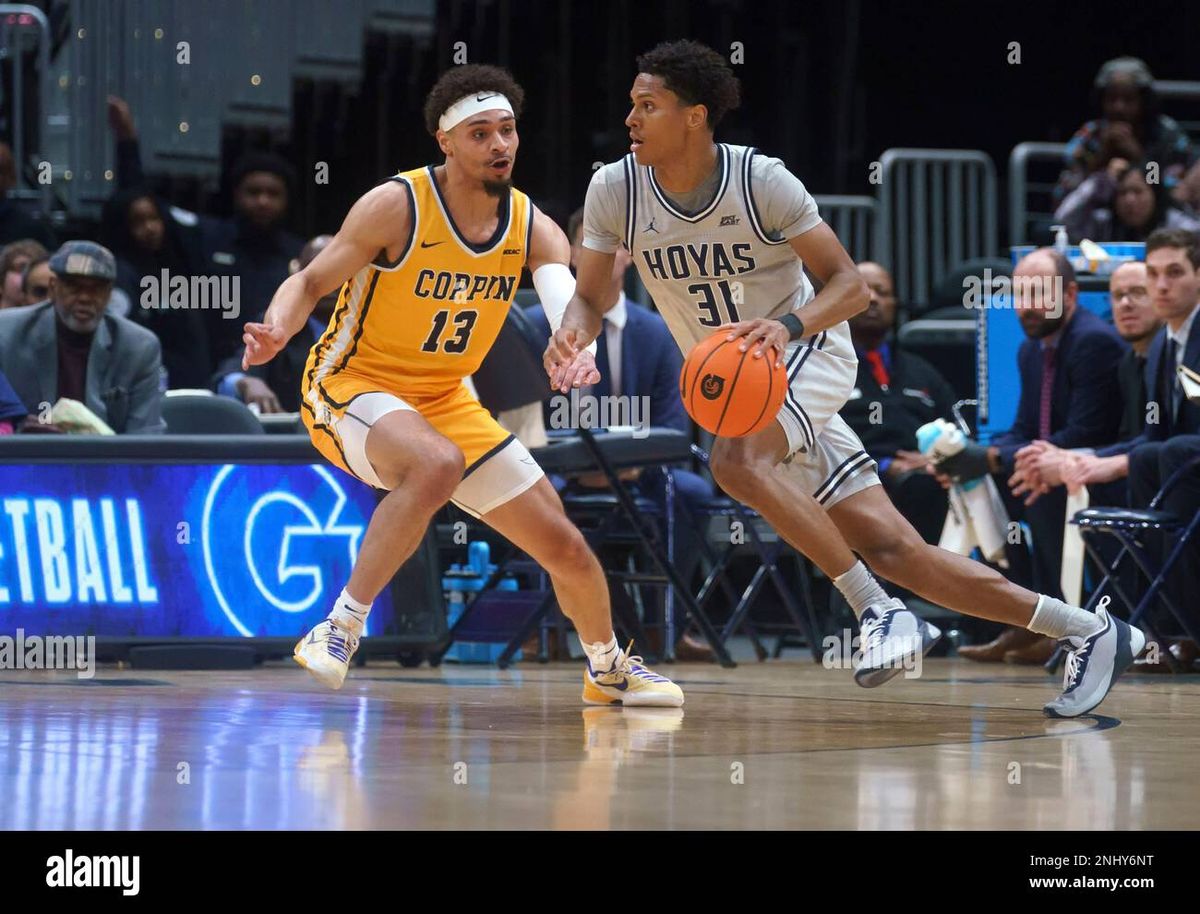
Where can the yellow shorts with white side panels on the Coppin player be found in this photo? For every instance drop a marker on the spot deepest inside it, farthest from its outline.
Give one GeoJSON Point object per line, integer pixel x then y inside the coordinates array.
{"type": "Point", "coordinates": [340, 411]}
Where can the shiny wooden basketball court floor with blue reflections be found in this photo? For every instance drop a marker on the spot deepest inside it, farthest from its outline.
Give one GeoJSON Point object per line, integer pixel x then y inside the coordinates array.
{"type": "Point", "coordinates": [785, 744]}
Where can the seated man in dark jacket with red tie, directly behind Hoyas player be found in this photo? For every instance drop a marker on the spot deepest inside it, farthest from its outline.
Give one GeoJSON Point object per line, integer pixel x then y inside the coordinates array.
{"type": "Point", "coordinates": [895, 395]}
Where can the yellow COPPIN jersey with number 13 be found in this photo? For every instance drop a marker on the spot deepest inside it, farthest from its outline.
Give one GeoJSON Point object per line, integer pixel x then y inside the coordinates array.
{"type": "Point", "coordinates": [423, 323]}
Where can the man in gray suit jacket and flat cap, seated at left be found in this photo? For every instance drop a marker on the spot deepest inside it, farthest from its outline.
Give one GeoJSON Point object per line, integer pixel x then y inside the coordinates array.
{"type": "Point", "coordinates": [70, 347]}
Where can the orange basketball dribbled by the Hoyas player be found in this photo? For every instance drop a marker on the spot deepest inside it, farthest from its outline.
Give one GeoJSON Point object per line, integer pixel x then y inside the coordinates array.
{"type": "Point", "coordinates": [730, 393]}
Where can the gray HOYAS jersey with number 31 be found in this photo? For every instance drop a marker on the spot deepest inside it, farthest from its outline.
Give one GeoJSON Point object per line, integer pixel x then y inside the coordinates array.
{"type": "Point", "coordinates": [727, 262]}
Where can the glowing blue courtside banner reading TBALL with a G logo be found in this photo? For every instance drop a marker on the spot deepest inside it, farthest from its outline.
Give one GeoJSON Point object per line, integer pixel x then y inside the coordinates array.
{"type": "Point", "coordinates": [178, 551]}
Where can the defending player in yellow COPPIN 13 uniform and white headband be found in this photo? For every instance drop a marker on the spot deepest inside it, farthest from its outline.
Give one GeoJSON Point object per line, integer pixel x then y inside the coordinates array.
{"type": "Point", "coordinates": [429, 264]}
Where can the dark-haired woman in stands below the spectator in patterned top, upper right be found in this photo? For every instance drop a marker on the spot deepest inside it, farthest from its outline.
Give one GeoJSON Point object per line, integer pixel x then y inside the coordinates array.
{"type": "Point", "coordinates": [1119, 205]}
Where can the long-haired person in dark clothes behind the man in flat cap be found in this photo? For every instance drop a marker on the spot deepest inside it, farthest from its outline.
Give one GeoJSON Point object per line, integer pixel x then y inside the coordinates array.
{"type": "Point", "coordinates": [147, 239]}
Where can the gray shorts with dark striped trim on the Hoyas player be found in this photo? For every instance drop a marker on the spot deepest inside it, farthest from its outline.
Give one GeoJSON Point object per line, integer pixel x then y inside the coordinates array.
{"type": "Point", "coordinates": [824, 453]}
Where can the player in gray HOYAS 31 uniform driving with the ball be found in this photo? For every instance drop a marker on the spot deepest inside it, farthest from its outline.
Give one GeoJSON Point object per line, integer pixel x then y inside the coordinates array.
{"type": "Point", "coordinates": [722, 237]}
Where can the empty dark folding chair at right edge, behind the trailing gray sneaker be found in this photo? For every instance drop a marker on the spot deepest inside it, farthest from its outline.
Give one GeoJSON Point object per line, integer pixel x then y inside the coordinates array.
{"type": "Point", "coordinates": [1127, 525]}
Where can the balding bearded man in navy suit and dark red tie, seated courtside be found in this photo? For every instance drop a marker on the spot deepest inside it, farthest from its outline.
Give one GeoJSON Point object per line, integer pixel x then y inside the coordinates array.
{"type": "Point", "coordinates": [1069, 370]}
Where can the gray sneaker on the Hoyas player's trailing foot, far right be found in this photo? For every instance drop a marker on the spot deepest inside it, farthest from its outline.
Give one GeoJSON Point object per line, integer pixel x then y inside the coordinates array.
{"type": "Point", "coordinates": [1095, 664]}
